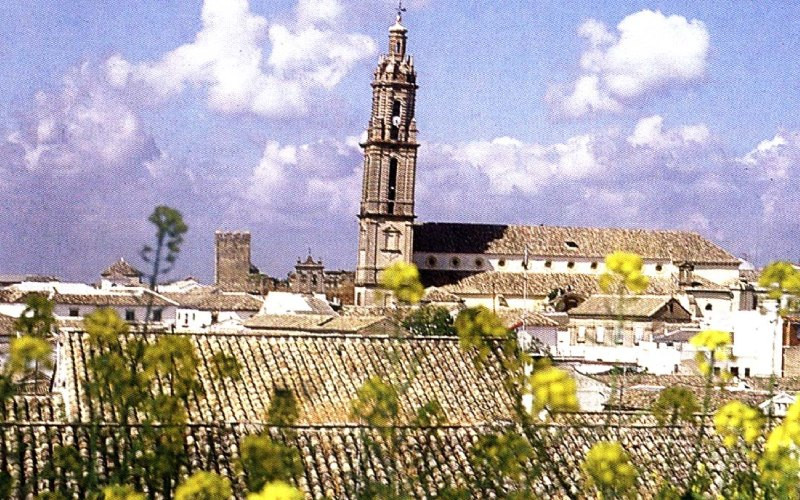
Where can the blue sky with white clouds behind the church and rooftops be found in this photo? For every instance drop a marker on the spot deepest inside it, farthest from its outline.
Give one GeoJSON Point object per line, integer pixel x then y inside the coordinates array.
{"type": "Point", "coordinates": [246, 116]}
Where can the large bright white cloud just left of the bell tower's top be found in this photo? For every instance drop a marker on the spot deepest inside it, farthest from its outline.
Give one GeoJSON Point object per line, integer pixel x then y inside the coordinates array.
{"type": "Point", "coordinates": [228, 58]}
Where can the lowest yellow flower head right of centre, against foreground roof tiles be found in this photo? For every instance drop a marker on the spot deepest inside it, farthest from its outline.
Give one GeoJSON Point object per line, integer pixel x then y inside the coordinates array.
{"type": "Point", "coordinates": [609, 467]}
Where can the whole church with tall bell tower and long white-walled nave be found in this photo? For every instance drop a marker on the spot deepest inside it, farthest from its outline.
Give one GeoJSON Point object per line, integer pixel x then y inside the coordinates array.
{"type": "Point", "coordinates": [482, 263]}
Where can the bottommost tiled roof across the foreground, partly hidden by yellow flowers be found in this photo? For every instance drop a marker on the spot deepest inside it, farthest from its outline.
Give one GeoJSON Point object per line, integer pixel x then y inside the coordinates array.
{"type": "Point", "coordinates": [337, 462]}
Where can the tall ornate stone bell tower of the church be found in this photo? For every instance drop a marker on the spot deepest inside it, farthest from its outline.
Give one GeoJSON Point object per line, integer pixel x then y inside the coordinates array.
{"type": "Point", "coordinates": [387, 216]}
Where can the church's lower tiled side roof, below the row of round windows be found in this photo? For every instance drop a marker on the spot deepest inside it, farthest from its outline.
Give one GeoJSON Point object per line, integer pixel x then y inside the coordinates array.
{"type": "Point", "coordinates": [513, 284]}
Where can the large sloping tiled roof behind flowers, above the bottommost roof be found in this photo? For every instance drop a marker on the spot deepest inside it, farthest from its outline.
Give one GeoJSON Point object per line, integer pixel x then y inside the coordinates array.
{"type": "Point", "coordinates": [324, 372]}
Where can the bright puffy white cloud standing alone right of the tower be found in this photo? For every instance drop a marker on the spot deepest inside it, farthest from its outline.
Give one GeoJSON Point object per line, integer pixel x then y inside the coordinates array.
{"type": "Point", "coordinates": [649, 52]}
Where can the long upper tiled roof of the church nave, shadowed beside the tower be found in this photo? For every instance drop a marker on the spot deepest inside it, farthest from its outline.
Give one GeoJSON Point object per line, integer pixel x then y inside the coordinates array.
{"type": "Point", "coordinates": [551, 241]}
